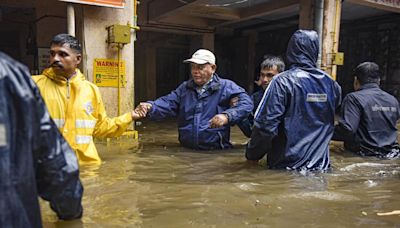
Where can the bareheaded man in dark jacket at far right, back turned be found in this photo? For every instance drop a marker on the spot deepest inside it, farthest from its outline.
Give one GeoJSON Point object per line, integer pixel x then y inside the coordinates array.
{"type": "Point", "coordinates": [368, 117]}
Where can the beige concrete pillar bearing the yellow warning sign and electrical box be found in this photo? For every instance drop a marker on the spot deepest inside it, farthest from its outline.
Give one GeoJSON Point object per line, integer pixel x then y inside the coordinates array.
{"type": "Point", "coordinates": [95, 21]}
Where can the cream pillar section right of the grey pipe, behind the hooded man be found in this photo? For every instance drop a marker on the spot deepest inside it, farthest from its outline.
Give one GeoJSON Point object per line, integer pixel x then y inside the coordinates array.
{"type": "Point", "coordinates": [331, 29]}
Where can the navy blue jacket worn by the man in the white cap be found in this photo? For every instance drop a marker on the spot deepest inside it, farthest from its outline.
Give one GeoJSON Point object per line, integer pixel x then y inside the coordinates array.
{"type": "Point", "coordinates": [194, 112]}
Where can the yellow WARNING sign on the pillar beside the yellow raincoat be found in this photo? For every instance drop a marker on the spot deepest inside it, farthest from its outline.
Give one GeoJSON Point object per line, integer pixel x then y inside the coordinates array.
{"type": "Point", "coordinates": [105, 72]}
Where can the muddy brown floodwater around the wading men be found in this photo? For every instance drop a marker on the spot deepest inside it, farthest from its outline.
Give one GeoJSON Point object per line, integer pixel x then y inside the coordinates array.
{"type": "Point", "coordinates": [157, 183]}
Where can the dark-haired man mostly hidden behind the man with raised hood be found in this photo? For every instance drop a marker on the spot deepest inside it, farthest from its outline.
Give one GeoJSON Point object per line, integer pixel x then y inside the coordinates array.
{"type": "Point", "coordinates": [271, 66]}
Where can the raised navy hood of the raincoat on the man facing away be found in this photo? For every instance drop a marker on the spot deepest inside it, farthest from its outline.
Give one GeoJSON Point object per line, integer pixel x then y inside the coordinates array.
{"type": "Point", "coordinates": [303, 49]}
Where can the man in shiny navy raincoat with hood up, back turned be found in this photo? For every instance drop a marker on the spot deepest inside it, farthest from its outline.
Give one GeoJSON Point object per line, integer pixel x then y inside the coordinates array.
{"type": "Point", "coordinates": [295, 119]}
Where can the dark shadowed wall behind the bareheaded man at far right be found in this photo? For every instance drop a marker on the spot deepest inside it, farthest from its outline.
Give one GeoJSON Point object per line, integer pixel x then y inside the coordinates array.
{"type": "Point", "coordinates": [376, 39]}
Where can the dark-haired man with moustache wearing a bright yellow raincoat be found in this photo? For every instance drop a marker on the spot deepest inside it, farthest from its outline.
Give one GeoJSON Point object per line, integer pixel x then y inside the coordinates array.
{"type": "Point", "coordinates": [74, 103]}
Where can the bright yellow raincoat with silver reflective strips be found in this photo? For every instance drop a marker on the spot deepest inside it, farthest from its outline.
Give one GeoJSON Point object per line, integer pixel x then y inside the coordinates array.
{"type": "Point", "coordinates": [78, 110]}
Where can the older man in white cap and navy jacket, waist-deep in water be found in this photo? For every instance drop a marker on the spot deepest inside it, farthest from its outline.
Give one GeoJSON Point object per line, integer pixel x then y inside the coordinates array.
{"type": "Point", "coordinates": [202, 105]}
